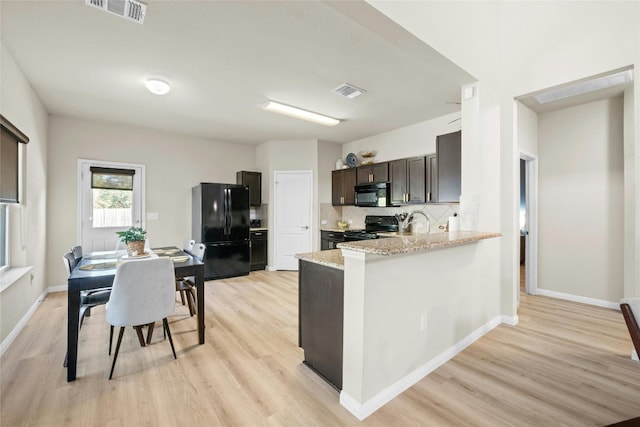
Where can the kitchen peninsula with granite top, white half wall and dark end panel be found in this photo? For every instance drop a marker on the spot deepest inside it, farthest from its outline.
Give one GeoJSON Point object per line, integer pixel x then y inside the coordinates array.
{"type": "Point", "coordinates": [396, 309]}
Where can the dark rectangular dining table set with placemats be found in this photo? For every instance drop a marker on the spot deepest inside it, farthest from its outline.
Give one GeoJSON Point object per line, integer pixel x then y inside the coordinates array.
{"type": "Point", "coordinates": [84, 278]}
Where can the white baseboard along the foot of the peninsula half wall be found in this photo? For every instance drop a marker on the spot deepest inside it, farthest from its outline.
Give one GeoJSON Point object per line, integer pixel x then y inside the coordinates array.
{"type": "Point", "coordinates": [363, 410]}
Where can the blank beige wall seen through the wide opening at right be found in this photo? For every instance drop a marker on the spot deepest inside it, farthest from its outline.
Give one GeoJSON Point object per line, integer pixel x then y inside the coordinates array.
{"type": "Point", "coordinates": [581, 207]}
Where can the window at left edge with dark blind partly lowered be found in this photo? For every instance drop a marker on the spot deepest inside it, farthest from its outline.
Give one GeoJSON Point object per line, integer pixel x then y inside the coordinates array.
{"type": "Point", "coordinates": [10, 139]}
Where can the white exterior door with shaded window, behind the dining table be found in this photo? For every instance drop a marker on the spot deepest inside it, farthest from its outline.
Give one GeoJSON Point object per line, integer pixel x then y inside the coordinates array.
{"type": "Point", "coordinates": [110, 199]}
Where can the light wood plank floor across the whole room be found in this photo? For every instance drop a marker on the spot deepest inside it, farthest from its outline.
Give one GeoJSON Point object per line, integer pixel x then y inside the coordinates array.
{"type": "Point", "coordinates": [564, 364]}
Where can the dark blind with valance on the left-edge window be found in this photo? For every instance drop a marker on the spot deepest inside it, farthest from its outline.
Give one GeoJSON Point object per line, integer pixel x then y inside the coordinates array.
{"type": "Point", "coordinates": [10, 137]}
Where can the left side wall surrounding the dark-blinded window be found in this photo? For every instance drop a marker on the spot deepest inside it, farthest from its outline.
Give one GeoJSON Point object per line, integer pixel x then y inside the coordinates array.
{"type": "Point", "coordinates": [28, 233]}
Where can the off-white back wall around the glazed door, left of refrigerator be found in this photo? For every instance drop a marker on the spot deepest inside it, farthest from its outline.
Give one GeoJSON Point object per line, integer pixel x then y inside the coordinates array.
{"type": "Point", "coordinates": [174, 164]}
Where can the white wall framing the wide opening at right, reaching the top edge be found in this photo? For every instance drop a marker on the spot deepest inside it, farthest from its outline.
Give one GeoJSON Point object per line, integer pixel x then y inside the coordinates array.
{"type": "Point", "coordinates": [515, 48]}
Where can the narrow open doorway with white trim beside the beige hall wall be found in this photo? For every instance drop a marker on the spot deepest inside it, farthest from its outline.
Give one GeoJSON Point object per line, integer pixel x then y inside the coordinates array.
{"type": "Point", "coordinates": [528, 223]}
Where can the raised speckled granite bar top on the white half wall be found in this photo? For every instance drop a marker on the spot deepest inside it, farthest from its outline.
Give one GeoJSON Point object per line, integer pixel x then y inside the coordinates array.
{"type": "Point", "coordinates": [403, 244]}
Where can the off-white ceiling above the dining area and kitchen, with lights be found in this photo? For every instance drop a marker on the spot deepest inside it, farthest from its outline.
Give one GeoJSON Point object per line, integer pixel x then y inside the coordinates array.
{"type": "Point", "coordinates": [224, 60]}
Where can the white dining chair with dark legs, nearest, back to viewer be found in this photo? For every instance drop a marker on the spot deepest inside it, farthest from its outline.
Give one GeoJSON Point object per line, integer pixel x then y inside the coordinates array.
{"type": "Point", "coordinates": [143, 292]}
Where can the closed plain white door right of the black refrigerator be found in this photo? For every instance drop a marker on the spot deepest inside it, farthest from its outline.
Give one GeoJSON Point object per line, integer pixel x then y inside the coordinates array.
{"type": "Point", "coordinates": [293, 204]}
